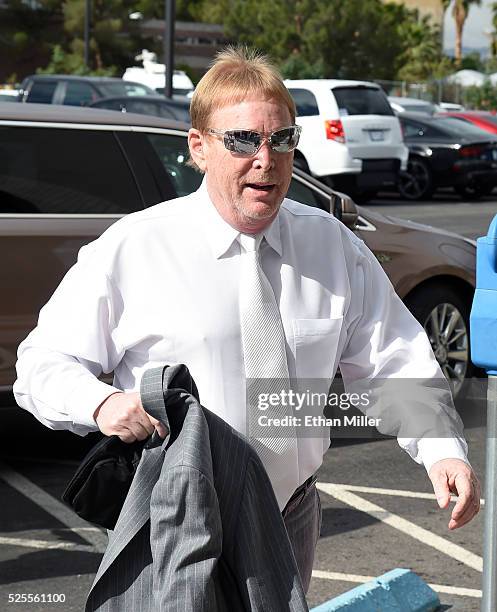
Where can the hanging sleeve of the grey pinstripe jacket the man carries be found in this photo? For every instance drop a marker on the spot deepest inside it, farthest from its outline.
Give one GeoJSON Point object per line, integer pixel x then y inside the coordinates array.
{"type": "Point", "coordinates": [186, 542]}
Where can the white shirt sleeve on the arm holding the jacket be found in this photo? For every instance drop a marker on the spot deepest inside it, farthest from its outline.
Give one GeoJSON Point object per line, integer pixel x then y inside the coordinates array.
{"type": "Point", "coordinates": [74, 342]}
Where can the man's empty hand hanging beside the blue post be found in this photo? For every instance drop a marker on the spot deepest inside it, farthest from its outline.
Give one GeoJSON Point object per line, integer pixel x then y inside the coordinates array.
{"type": "Point", "coordinates": [455, 476]}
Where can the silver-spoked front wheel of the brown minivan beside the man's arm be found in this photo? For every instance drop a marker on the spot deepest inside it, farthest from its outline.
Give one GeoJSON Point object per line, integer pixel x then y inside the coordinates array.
{"type": "Point", "coordinates": [445, 318]}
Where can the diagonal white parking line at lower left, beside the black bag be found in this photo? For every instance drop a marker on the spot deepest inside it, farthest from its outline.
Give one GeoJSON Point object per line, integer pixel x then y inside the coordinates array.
{"type": "Point", "coordinates": [96, 537]}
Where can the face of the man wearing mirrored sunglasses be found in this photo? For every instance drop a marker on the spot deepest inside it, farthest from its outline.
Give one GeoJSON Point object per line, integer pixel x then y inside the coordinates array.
{"type": "Point", "coordinates": [247, 191]}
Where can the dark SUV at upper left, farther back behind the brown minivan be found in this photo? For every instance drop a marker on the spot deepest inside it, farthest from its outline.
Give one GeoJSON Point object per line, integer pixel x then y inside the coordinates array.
{"type": "Point", "coordinates": [77, 90]}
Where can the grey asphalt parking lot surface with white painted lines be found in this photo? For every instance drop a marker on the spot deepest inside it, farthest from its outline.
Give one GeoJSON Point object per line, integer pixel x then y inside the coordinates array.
{"type": "Point", "coordinates": [378, 509]}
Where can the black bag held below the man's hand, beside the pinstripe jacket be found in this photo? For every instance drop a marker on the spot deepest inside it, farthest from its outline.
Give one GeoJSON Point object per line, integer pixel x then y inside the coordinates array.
{"type": "Point", "coordinates": [99, 487]}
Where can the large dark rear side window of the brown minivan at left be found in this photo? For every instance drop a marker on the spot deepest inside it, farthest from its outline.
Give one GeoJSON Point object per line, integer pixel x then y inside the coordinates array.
{"type": "Point", "coordinates": [64, 171]}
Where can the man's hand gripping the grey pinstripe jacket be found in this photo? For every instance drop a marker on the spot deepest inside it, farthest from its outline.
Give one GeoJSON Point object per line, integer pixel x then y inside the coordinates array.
{"type": "Point", "coordinates": [122, 414]}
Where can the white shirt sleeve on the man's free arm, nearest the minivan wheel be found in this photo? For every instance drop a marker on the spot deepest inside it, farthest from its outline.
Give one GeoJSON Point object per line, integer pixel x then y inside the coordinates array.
{"type": "Point", "coordinates": [389, 355]}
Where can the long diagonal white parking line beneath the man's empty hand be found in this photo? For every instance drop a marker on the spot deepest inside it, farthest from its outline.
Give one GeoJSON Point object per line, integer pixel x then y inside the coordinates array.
{"type": "Point", "coordinates": [411, 529]}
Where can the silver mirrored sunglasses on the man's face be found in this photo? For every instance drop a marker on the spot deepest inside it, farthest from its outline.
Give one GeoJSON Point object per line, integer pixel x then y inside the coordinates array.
{"type": "Point", "coordinates": [248, 142]}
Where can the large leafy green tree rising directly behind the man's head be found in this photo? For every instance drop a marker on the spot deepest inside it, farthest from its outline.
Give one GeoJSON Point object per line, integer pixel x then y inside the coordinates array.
{"type": "Point", "coordinates": [332, 38]}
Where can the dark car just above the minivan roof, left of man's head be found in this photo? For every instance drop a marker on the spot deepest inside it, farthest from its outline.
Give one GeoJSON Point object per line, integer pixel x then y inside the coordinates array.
{"type": "Point", "coordinates": [176, 109]}
